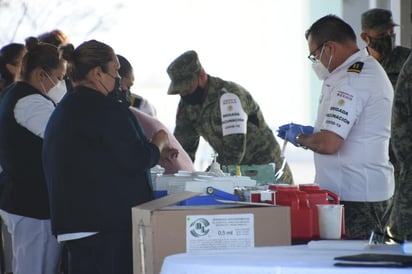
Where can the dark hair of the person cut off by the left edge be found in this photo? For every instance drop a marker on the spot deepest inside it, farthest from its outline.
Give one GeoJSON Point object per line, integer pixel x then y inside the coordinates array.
{"type": "Point", "coordinates": [9, 54]}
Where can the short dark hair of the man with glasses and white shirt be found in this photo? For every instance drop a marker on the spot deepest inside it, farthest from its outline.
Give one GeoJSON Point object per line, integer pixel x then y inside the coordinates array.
{"type": "Point", "coordinates": [331, 28]}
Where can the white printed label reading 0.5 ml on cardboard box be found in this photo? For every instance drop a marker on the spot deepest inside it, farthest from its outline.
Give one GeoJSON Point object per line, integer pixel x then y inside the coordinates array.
{"type": "Point", "coordinates": [219, 232]}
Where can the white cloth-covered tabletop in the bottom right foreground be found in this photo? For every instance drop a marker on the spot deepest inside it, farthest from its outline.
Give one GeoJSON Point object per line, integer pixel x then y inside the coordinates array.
{"type": "Point", "coordinates": [297, 259]}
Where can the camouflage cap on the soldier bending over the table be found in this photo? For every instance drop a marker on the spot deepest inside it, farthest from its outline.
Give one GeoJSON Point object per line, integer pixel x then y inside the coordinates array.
{"type": "Point", "coordinates": [182, 71]}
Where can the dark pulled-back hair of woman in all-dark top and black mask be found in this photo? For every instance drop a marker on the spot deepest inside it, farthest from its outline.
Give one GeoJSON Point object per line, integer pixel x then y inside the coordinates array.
{"type": "Point", "coordinates": [88, 55]}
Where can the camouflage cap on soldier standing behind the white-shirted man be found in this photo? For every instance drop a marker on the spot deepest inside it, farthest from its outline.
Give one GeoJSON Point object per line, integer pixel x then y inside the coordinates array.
{"type": "Point", "coordinates": [377, 19]}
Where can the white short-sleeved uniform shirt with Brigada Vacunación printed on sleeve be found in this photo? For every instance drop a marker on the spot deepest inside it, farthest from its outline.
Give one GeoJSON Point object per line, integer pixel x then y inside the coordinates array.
{"type": "Point", "coordinates": [356, 104]}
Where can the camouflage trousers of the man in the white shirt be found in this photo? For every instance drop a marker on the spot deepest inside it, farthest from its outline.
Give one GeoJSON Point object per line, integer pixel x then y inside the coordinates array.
{"type": "Point", "coordinates": [363, 217]}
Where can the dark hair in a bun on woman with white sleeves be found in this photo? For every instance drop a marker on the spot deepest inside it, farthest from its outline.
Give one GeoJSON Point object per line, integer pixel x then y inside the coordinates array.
{"type": "Point", "coordinates": [43, 55]}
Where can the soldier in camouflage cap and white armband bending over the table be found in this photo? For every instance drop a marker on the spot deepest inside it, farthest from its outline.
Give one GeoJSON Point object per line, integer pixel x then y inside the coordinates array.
{"type": "Point", "coordinates": [224, 114]}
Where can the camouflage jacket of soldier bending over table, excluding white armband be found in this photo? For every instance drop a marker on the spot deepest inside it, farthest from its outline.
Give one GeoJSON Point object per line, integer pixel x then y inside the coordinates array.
{"type": "Point", "coordinates": [258, 146]}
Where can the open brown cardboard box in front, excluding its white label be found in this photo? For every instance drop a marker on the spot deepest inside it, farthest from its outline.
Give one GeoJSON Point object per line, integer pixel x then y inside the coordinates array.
{"type": "Point", "coordinates": [160, 230]}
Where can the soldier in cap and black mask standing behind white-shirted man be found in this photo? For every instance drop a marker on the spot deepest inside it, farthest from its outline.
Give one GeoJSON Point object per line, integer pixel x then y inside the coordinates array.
{"type": "Point", "coordinates": [378, 33]}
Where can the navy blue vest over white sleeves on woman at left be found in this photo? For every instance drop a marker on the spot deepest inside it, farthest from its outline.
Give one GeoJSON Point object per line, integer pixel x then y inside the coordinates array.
{"type": "Point", "coordinates": [24, 191]}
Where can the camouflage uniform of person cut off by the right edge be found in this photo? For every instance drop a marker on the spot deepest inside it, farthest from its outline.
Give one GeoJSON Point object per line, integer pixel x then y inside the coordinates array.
{"type": "Point", "coordinates": [401, 216]}
